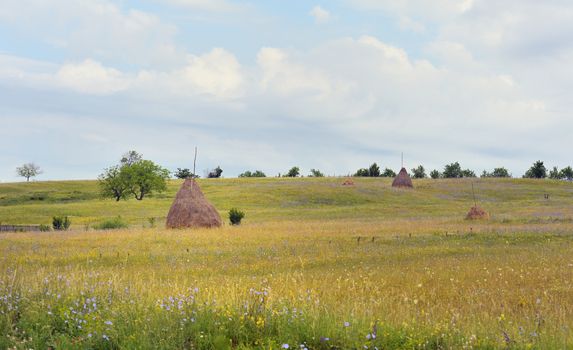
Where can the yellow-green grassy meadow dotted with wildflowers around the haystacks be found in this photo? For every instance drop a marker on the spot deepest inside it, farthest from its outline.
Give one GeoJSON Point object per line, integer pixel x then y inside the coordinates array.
{"type": "Point", "coordinates": [314, 265]}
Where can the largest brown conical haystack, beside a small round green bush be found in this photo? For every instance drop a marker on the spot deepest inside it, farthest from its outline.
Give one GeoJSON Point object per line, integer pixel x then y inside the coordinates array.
{"type": "Point", "coordinates": [191, 209]}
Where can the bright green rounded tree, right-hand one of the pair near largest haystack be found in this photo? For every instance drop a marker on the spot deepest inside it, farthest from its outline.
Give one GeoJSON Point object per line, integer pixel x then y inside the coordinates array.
{"type": "Point", "coordinates": [145, 177]}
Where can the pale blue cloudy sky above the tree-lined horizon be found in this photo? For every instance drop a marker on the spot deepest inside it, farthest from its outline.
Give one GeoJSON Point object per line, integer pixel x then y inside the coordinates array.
{"type": "Point", "coordinates": [332, 85]}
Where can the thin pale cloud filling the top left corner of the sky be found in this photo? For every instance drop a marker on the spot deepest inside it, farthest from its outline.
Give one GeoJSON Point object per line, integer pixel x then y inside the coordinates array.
{"type": "Point", "coordinates": [98, 29]}
